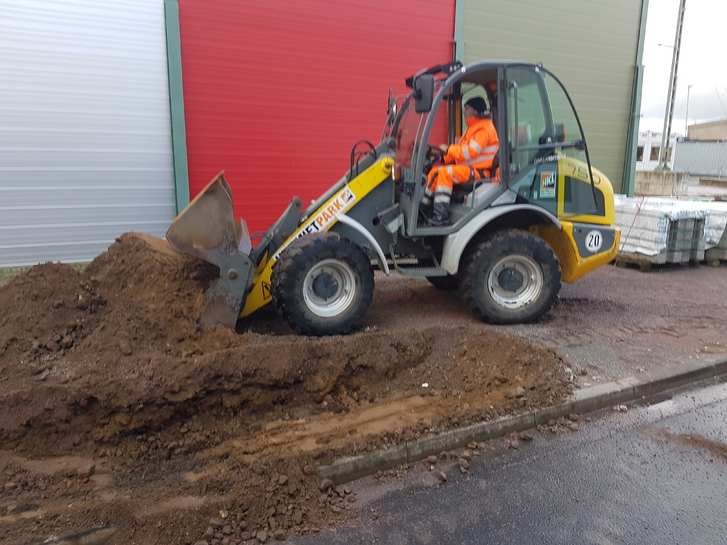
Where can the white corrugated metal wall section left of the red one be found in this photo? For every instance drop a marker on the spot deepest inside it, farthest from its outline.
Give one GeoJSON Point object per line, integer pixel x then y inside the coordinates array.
{"type": "Point", "coordinates": [85, 145]}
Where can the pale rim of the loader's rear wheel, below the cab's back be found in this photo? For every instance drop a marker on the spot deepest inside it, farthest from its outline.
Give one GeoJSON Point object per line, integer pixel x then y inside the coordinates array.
{"type": "Point", "coordinates": [515, 281]}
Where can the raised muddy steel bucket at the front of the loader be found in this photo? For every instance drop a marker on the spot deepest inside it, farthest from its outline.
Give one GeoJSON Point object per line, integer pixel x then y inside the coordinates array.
{"type": "Point", "coordinates": [206, 229]}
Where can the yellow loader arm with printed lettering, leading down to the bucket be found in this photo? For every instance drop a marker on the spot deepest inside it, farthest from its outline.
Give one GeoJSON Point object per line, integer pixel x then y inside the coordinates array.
{"type": "Point", "coordinates": [321, 220]}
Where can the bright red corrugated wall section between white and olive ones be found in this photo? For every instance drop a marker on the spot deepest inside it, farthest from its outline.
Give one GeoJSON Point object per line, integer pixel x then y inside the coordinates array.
{"type": "Point", "coordinates": [277, 93]}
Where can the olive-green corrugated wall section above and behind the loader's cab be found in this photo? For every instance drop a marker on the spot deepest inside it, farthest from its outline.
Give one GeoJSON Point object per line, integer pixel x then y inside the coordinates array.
{"type": "Point", "coordinates": [590, 45]}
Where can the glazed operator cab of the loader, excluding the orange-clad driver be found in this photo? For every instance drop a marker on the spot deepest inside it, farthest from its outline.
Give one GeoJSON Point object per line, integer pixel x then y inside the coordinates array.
{"type": "Point", "coordinates": [542, 158]}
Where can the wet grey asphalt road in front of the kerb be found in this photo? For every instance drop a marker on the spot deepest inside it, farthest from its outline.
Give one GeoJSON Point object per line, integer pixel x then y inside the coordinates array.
{"type": "Point", "coordinates": [656, 474]}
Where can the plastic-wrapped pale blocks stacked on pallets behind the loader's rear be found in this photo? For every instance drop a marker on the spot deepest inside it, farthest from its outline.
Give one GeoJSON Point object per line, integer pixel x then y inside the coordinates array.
{"type": "Point", "coordinates": [657, 230]}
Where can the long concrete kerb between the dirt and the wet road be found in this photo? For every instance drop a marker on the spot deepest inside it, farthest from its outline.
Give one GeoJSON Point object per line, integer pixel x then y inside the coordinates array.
{"type": "Point", "coordinates": [583, 401]}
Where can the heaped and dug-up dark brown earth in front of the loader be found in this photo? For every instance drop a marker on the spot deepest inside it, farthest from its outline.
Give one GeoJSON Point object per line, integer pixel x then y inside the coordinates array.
{"type": "Point", "coordinates": [118, 408]}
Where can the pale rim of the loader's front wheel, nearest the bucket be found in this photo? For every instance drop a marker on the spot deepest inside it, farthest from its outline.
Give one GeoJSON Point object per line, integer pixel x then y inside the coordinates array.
{"type": "Point", "coordinates": [329, 287]}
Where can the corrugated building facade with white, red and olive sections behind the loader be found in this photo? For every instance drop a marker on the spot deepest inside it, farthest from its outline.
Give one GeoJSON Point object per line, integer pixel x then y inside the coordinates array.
{"type": "Point", "coordinates": [114, 113]}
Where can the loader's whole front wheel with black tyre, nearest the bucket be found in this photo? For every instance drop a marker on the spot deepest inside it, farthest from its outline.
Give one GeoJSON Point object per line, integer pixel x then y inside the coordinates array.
{"type": "Point", "coordinates": [322, 284]}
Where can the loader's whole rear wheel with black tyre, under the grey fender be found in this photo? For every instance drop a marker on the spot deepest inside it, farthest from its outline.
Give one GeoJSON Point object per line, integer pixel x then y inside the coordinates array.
{"type": "Point", "coordinates": [511, 277]}
